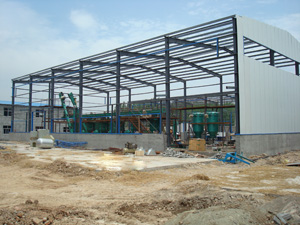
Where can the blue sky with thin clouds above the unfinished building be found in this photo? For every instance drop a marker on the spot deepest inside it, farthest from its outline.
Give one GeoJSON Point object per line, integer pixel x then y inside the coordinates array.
{"type": "Point", "coordinates": [38, 34]}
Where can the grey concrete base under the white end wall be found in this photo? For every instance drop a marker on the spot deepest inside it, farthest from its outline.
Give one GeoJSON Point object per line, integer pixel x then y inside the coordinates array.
{"type": "Point", "coordinates": [267, 143]}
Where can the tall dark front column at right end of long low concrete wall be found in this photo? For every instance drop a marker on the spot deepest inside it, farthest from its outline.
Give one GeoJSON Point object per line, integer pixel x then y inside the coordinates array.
{"type": "Point", "coordinates": [168, 106]}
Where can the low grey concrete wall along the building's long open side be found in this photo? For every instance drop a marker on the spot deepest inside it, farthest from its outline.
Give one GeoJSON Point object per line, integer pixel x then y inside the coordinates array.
{"type": "Point", "coordinates": [102, 141]}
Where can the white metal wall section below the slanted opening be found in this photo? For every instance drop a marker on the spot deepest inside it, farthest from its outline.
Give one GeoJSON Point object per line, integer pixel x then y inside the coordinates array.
{"type": "Point", "coordinates": [269, 99]}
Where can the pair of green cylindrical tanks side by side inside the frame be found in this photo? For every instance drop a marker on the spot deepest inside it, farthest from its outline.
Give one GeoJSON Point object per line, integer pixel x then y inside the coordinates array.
{"type": "Point", "coordinates": [212, 123]}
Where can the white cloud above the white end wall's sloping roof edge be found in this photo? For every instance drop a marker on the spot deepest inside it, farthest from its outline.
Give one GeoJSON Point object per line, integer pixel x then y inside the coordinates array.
{"type": "Point", "coordinates": [290, 23]}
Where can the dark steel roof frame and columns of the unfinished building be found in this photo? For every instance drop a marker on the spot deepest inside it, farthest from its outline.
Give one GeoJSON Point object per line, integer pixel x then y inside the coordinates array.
{"type": "Point", "coordinates": [201, 60]}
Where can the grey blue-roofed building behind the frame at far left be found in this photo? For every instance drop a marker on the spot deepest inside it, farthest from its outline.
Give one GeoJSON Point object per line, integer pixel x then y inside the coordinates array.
{"type": "Point", "coordinates": [39, 114]}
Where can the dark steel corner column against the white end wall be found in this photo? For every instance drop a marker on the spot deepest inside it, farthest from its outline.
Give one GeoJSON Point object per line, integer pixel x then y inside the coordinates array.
{"type": "Point", "coordinates": [236, 77]}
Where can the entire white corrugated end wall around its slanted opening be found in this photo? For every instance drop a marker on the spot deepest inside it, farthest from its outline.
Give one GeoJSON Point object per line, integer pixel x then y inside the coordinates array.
{"type": "Point", "coordinates": [269, 97]}
